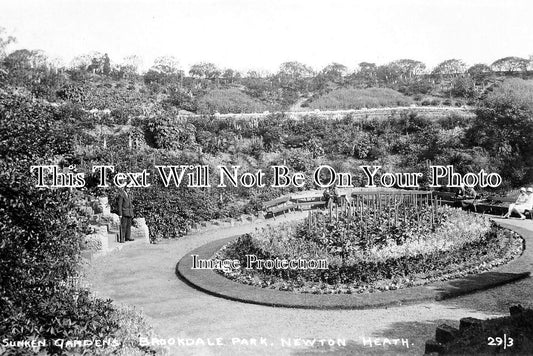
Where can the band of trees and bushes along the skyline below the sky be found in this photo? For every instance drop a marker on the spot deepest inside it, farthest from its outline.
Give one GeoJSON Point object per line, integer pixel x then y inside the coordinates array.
{"type": "Point", "coordinates": [293, 83]}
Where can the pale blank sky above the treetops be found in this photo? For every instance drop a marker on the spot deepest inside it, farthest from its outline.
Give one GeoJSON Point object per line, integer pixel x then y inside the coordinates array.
{"type": "Point", "coordinates": [253, 34]}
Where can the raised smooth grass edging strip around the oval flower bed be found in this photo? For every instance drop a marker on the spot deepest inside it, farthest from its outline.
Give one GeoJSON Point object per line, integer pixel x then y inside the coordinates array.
{"type": "Point", "coordinates": [215, 284]}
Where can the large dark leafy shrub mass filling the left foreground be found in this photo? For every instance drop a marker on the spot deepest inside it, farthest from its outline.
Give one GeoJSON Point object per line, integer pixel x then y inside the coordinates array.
{"type": "Point", "coordinates": [41, 238]}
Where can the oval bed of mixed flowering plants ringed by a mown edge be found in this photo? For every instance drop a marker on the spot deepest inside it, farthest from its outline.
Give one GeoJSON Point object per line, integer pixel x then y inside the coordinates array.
{"type": "Point", "coordinates": [374, 254]}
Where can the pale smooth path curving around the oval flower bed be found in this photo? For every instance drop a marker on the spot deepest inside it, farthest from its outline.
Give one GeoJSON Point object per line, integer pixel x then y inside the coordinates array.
{"type": "Point", "coordinates": [144, 276]}
